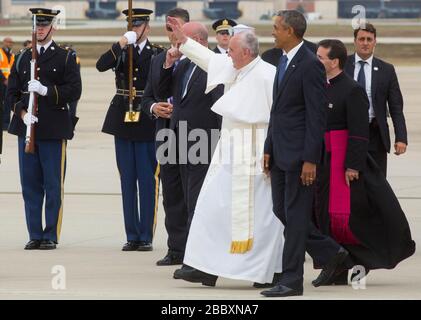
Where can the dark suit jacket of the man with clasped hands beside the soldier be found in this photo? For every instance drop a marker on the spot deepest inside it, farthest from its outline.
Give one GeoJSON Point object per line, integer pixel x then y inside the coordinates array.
{"type": "Point", "coordinates": [151, 94]}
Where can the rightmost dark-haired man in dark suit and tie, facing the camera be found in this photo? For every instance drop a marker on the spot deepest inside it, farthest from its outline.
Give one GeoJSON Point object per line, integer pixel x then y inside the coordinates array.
{"type": "Point", "coordinates": [379, 80]}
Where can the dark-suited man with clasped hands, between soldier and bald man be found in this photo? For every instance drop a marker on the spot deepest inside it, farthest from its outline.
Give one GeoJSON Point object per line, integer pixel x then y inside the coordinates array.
{"type": "Point", "coordinates": [160, 109]}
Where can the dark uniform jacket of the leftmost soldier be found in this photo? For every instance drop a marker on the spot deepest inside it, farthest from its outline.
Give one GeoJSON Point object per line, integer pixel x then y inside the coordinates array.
{"type": "Point", "coordinates": [58, 71]}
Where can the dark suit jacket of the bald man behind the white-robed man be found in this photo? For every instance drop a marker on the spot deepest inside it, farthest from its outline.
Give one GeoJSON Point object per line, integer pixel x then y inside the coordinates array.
{"type": "Point", "coordinates": [195, 107]}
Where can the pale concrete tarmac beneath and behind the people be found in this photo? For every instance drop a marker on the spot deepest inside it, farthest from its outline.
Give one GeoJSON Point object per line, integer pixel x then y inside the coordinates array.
{"type": "Point", "coordinates": [89, 259]}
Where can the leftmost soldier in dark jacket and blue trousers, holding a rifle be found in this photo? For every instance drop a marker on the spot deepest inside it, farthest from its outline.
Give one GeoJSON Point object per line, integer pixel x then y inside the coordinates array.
{"type": "Point", "coordinates": [43, 80]}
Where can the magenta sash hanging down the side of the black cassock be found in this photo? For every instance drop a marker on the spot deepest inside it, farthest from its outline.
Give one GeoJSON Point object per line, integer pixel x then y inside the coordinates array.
{"type": "Point", "coordinates": [339, 193]}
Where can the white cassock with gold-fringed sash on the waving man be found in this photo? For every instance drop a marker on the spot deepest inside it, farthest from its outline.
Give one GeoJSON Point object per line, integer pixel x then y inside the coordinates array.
{"type": "Point", "coordinates": [234, 233]}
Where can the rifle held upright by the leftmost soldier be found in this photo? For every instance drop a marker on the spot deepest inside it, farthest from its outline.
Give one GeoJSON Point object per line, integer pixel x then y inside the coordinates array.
{"type": "Point", "coordinates": [33, 97]}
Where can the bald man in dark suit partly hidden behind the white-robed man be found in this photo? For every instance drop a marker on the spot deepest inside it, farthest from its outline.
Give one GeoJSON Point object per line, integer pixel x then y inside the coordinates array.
{"type": "Point", "coordinates": [186, 84]}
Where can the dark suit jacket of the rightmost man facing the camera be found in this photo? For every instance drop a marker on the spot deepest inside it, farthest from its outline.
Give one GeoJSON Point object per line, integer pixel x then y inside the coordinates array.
{"type": "Point", "coordinates": [385, 93]}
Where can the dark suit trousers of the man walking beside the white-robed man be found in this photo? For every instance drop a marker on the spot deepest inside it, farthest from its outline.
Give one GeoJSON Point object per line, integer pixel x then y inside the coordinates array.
{"type": "Point", "coordinates": [293, 204]}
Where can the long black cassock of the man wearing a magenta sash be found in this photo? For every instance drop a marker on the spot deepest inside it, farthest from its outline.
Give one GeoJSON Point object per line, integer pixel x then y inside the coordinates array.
{"type": "Point", "coordinates": [376, 221]}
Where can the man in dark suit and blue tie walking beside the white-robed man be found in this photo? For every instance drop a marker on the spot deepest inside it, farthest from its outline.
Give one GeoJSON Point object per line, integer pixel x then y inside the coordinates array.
{"type": "Point", "coordinates": [292, 150]}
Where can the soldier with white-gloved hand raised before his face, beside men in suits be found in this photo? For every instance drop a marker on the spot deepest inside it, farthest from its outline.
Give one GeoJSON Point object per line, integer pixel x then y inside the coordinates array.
{"type": "Point", "coordinates": [134, 134]}
